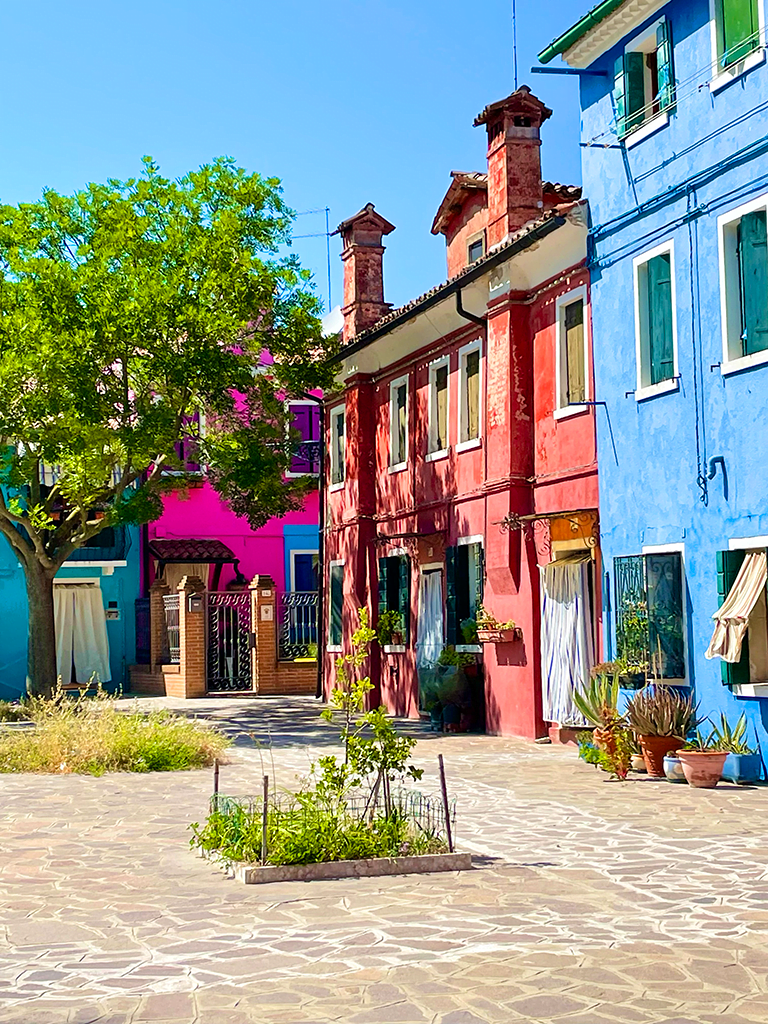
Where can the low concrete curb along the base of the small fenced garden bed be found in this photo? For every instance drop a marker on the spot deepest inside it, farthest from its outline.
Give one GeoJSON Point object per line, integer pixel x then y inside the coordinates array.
{"type": "Point", "coordinates": [426, 864]}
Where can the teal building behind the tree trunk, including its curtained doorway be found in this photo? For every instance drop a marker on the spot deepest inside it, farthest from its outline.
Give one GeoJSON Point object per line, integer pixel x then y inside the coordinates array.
{"type": "Point", "coordinates": [95, 592]}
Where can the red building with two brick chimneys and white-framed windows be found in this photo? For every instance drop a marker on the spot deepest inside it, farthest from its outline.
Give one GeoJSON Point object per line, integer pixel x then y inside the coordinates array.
{"type": "Point", "coordinates": [462, 467]}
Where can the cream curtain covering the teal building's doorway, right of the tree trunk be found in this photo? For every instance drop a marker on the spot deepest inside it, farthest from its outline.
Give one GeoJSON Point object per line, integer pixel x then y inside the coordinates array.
{"type": "Point", "coordinates": [81, 633]}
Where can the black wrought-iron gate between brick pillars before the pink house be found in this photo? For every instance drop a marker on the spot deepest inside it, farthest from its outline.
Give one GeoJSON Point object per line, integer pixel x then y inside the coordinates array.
{"type": "Point", "coordinates": [229, 643]}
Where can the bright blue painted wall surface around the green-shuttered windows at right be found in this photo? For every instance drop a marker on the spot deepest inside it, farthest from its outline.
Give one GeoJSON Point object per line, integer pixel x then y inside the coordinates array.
{"type": "Point", "coordinates": [711, 158]}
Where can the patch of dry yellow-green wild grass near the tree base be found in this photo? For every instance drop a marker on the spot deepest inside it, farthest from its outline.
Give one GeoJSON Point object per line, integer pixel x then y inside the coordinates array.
{"type": "Point", "coordinates": [93, 736]}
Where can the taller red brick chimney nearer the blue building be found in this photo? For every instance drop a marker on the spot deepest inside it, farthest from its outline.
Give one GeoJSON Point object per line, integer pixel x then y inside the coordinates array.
{"type": "Point", "coordinates": [515, 162]}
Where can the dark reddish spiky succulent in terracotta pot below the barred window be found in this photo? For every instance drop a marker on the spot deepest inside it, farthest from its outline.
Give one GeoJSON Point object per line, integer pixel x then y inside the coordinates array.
{"type": "Point", "coordinates": [661, 718]}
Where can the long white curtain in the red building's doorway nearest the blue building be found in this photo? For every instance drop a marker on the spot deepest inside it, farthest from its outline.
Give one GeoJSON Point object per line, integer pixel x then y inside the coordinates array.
{"type": "Point", "coordinates": [567, 638]}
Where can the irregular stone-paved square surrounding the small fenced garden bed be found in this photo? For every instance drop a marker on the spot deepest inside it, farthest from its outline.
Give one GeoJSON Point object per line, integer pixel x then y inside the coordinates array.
{"type": "Point", "coordinates": [591, 902]}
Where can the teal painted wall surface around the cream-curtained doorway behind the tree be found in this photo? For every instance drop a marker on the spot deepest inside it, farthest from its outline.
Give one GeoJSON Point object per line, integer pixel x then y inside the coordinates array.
{"type": "Point", "coordinates": [121, 587]}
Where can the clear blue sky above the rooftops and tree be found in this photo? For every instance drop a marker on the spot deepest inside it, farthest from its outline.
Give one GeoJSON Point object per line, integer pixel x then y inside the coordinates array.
{"type": "Point", "coordinates": [347, 102]}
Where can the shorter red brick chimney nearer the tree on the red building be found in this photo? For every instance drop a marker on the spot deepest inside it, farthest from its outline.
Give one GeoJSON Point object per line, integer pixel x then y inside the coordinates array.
{"type": "Point", "coordinates": [364, 278]}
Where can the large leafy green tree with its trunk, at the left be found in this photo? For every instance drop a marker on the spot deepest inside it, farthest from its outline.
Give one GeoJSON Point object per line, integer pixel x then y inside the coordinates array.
{"type": "Point", "coordinates": [126, 311]}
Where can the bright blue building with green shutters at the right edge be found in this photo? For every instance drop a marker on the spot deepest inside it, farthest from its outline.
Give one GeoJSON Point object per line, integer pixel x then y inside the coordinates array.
{"type": "Point", "coordinates": [674, 103]}
